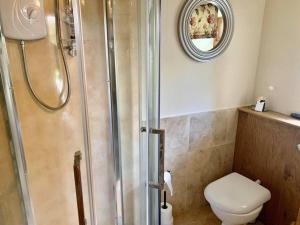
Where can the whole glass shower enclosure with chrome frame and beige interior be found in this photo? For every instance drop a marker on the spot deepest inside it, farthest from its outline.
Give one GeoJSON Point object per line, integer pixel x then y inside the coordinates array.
{"type": "Point", "coordinates": [111, 120]}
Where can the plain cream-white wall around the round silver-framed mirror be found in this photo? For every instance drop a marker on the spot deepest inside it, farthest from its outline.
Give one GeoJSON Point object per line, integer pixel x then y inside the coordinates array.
{"type": "Point", "coordinates": [228, 81]}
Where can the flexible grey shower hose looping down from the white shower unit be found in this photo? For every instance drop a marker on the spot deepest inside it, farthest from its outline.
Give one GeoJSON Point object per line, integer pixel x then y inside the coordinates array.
{"type": "Point", "coordinates": [66, 68]}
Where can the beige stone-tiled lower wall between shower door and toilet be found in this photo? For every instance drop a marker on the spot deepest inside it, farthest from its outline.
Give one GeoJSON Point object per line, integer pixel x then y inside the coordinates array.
{"type": "Point", "coordinates": [199, 149]}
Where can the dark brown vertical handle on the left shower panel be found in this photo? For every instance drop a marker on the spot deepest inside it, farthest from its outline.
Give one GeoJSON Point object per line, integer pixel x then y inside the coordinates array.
{"type": "Point", "coordinates": [78, 186]}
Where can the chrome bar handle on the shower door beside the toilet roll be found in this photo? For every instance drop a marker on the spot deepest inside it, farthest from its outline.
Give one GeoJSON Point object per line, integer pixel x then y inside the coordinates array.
{"type": "Point", "coordinates": [161, 159]}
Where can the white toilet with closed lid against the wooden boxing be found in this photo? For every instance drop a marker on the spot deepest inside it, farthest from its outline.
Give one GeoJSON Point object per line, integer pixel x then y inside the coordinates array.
{"type": "Point", "coordinates": [235, 199]}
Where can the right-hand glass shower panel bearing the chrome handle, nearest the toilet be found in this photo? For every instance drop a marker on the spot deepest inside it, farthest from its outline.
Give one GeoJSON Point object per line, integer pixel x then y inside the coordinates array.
{"type": "Point", "coordinates": [136, 62]}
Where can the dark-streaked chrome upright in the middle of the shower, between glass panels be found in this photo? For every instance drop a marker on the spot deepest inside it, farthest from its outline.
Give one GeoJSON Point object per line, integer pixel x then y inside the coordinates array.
{"type": "Point", "coordinates": [113, 109]}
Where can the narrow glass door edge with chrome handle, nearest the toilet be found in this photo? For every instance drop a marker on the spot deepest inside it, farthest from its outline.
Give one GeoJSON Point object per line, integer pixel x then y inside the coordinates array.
{"type": "Point", "coordinates": [152, 138]}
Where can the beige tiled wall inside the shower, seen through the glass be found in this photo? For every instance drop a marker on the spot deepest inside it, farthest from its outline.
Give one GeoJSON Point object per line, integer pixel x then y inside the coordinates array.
{"type": "Point", "coordinates": [50, 139]}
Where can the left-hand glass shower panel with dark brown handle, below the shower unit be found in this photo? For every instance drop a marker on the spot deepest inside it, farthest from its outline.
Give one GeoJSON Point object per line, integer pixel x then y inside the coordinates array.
{"type": "Point", "coordinates": [53, 182]}
